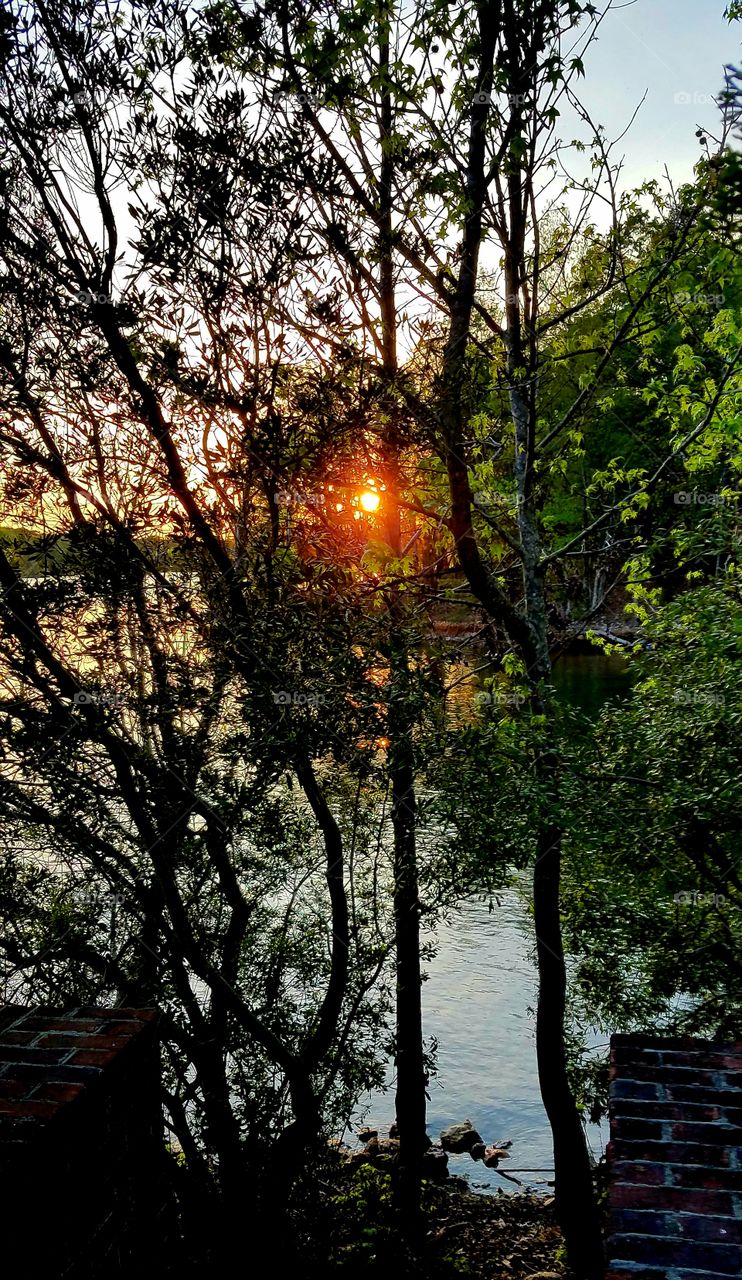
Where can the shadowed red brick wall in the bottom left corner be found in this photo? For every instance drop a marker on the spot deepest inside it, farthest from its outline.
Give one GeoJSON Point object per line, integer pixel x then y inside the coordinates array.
{"type": "Point", "coordinates": [84, 1183]}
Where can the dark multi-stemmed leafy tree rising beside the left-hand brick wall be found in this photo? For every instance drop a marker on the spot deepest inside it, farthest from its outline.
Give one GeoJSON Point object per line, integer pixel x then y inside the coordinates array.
{"type": "Point", "coordinates": [177, 733]}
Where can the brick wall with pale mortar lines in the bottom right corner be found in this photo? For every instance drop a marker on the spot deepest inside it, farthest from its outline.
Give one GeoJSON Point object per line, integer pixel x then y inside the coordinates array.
{"type": "Point", "coordinates": [675, 1159]}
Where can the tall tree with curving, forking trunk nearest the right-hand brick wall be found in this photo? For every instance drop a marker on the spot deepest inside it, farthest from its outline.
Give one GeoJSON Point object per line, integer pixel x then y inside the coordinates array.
{"type": "Point", "coordinates": [470, 149]}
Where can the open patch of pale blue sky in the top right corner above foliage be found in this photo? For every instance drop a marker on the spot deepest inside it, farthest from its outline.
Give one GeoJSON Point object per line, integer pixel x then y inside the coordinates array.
{"type": "Point", "coordinates": [676, 51]}
